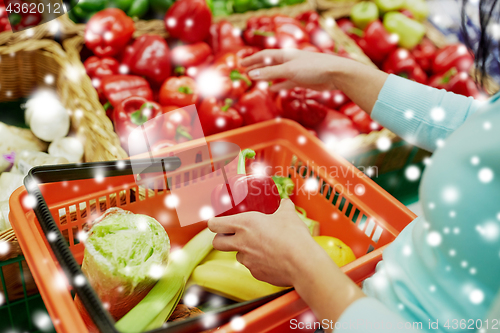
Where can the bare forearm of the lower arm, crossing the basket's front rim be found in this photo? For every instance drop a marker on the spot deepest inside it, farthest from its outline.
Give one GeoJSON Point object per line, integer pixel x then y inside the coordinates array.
{"type": "Point", "coordinates": [323, 286]}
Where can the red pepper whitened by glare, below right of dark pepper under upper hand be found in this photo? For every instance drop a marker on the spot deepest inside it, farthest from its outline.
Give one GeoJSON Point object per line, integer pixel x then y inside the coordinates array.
{"type": "Point", "coordinates": [335, 127]}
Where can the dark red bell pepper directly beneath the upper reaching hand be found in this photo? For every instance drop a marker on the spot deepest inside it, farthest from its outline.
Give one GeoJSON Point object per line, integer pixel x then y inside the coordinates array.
{"type": "Point", "coordinates": [303, 106]}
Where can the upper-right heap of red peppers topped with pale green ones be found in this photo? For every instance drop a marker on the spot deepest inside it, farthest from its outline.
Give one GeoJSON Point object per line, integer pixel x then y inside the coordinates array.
{"type": "Point", "coordinates": [391, 34]}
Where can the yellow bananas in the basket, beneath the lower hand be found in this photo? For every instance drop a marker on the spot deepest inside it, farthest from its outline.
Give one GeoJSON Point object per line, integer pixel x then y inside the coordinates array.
{"type": "Point", "coordinates": [220, 273]}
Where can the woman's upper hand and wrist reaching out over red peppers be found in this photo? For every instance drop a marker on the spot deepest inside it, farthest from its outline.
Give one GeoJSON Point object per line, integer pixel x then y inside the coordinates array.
{"type": "Point", "coordinates": [318, 71]}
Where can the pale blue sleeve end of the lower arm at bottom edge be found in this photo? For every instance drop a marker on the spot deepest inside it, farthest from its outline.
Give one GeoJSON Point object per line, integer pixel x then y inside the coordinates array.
{"type": "Point", "coordinates": [368, 315]}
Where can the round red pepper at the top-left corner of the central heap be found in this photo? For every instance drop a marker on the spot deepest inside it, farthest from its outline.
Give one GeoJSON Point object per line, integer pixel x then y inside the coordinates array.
{"type": "Point", "coordinates": [108, 32]}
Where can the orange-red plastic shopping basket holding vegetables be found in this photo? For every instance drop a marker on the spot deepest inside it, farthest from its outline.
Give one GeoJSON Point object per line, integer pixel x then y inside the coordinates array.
{"type": "Point", "coordinates": [347, 204]}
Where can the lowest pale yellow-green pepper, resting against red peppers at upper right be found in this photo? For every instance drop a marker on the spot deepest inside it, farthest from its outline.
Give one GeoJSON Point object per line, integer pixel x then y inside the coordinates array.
{"type": "Point", "coordinates": [409, 31]}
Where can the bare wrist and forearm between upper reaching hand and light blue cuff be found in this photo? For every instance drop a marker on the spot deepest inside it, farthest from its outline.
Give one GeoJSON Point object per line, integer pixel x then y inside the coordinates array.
{"type": "Point", "coordinates": [361, 83]}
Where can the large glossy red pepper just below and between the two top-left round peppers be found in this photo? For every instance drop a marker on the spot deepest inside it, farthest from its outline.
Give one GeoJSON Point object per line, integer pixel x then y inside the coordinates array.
{"type": "Point", "coordinates": [148, 56]}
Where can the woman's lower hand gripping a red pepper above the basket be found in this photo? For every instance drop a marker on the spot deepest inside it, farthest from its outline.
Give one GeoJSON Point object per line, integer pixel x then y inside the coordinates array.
{"type": "Point", "coordinates": [273, 247]}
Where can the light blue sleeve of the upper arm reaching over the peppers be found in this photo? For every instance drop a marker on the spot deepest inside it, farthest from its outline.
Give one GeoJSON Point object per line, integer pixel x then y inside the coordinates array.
{"type": "Point", "coordinates": [420, 114]}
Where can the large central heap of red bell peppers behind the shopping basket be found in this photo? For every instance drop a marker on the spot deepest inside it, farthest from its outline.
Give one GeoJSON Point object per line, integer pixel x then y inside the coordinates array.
{"type": "Point", "coordinates": [142, 79]}
